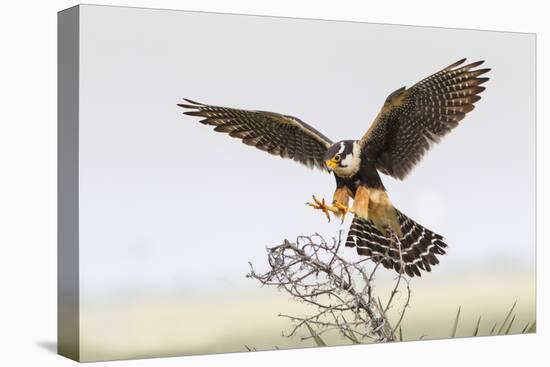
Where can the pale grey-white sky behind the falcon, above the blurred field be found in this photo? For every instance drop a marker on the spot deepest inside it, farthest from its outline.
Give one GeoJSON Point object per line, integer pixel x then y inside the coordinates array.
{"type": "Point", "coordinates": [168, 205]}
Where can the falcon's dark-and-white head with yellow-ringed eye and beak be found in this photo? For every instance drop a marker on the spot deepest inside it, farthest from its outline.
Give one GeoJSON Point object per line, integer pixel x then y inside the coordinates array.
{"type": "Point", "coordinates": [344, 158]}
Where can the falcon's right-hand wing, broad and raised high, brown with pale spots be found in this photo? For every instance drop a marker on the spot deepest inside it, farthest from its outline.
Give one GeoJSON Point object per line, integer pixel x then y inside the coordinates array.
{"type": "Point", "coordinates": [411, 120]}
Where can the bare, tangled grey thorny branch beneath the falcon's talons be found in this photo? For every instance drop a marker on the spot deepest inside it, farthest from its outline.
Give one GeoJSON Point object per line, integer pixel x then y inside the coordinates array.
{"type": "Point", "coordinates": [312, 271]}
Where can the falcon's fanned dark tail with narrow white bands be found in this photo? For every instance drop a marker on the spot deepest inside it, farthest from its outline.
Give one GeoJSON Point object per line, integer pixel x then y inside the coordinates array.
{"type": "Point", "coordinates": [416, 250]}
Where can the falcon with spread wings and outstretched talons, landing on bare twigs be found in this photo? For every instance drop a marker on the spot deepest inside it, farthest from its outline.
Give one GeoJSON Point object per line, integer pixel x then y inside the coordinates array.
{"type": "Point", "coordinates": [409, 122]}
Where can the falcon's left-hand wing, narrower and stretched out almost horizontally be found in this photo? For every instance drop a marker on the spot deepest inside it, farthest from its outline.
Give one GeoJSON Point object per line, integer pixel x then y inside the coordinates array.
{"type": "Point", "coordinates": [285, 136]}
